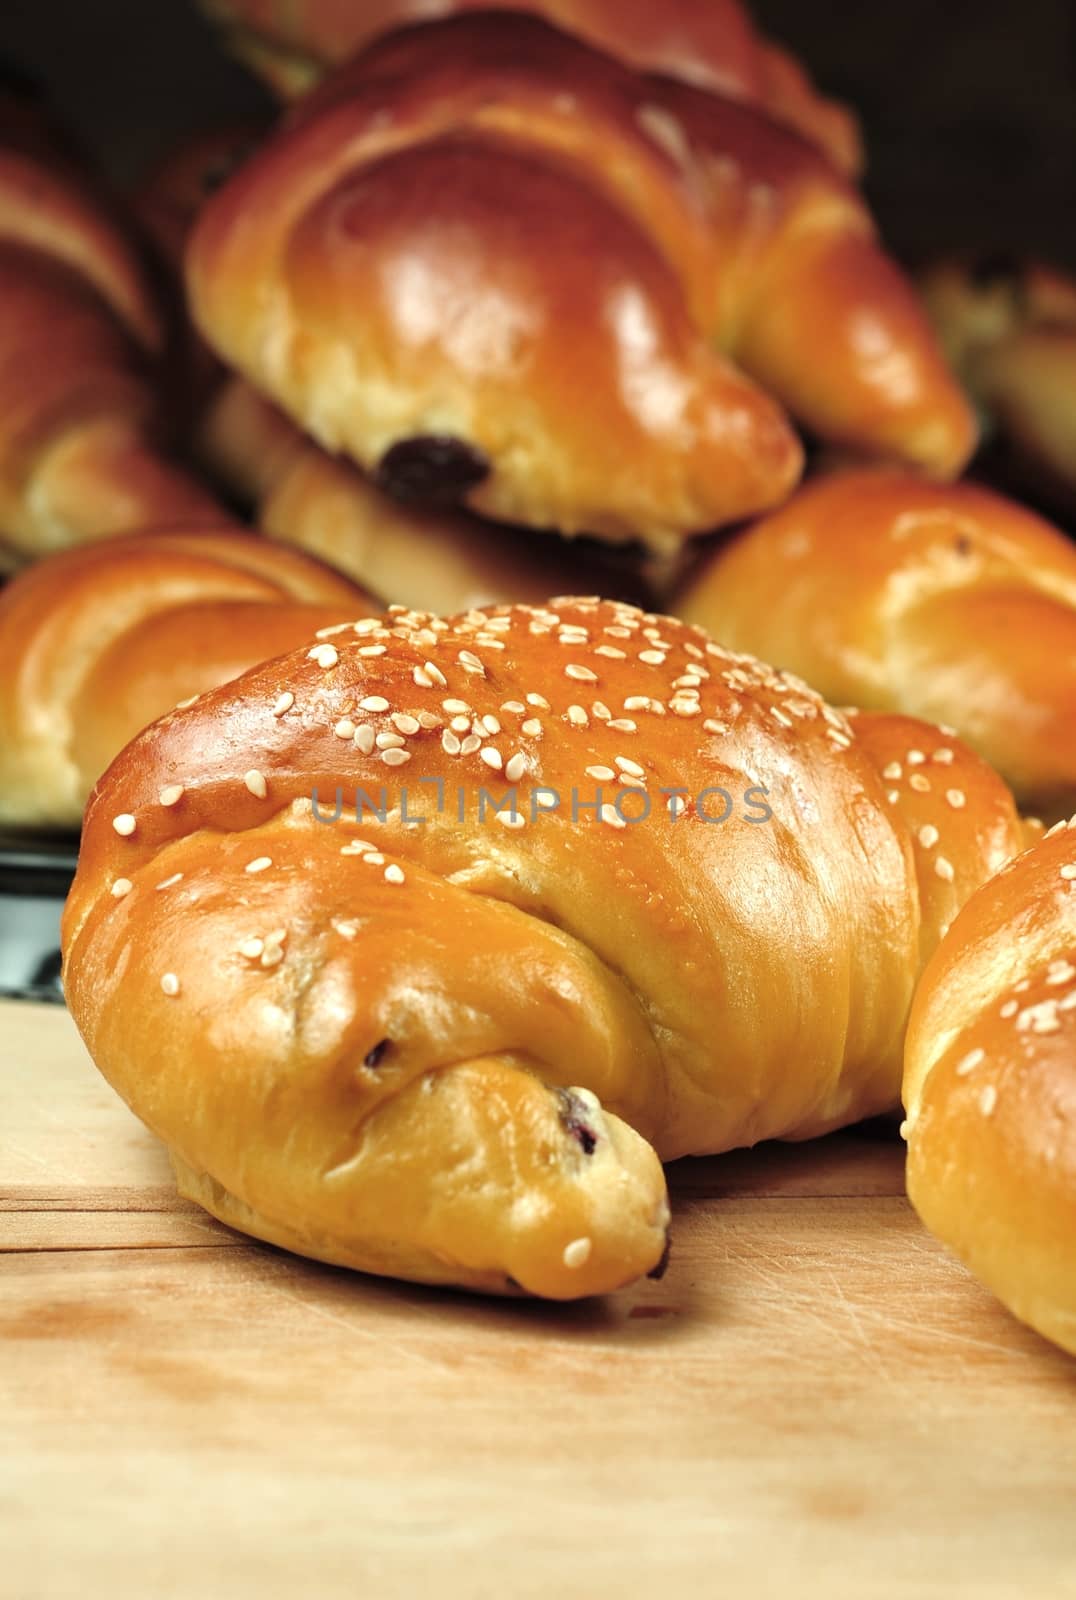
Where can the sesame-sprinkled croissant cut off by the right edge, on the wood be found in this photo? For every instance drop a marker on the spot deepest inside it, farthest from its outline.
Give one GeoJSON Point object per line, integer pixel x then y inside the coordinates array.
{"type": "Point", "coordinates": [990, 1087]}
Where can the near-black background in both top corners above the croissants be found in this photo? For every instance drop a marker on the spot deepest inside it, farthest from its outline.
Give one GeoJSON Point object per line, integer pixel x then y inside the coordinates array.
{"type": "Point", "coordinates": [970, 106]}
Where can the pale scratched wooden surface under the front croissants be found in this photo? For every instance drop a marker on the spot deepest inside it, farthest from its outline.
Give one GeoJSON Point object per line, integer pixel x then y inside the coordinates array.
{"type": "Point", "coordinates": [814, 1402]}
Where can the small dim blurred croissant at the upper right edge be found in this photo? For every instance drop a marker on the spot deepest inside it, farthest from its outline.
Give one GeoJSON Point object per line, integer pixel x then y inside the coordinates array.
{"type": "Point", "coordinates": [1010, 329]}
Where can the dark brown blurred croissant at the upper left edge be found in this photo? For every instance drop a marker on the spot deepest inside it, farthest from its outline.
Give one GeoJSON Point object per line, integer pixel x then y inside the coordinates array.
{"type": "Point", "coordinates": [79, 334]}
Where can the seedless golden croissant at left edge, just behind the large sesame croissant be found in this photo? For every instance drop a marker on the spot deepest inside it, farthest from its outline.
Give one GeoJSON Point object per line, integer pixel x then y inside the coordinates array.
{"type": "Point", "coordinates": [100, 641]}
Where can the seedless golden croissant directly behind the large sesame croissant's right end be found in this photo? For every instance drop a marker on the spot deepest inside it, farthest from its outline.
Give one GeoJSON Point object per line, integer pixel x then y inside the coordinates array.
{"type": "Point", "coordinates": [947, 602]}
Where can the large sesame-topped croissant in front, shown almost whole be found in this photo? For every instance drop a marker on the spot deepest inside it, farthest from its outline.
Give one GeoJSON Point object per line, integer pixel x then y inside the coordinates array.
{"type": "Point", "coordinates": [440, 934]}
